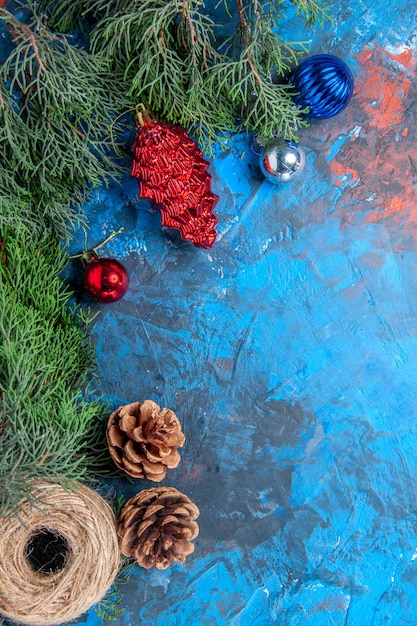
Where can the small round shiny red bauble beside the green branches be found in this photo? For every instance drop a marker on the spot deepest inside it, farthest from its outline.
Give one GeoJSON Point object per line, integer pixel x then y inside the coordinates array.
{"type": "Point", "coordinates": [105, 279]}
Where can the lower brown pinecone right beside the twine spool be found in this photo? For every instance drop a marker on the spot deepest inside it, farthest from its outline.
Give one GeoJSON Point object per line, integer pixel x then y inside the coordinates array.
{"type": "Point", "coordinates": [156, 527]}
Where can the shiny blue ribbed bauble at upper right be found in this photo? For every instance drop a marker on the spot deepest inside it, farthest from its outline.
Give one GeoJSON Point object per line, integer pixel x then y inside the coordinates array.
{"type": "Point", "coordinates": [324, 84]}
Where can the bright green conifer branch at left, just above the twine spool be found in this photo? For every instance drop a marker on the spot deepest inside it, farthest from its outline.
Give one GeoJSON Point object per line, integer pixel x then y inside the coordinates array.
{"type": "Point", "coordinates": [50, 427]}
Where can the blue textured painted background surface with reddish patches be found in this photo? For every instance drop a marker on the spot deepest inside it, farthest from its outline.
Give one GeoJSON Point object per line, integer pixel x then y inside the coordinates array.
{"type": "Point", "coordinates": [289, 353]}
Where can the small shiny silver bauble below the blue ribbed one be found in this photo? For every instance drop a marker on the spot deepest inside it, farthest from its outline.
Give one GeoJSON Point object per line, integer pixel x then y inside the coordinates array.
{"type": "Point", "coordinates": [281, 160]}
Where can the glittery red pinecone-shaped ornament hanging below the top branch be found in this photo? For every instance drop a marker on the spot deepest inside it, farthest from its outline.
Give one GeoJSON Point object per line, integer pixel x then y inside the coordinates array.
{"type": "Point", "coordinates": [172, 173]}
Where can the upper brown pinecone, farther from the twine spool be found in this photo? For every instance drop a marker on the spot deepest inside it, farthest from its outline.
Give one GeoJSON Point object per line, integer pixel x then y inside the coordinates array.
{"type": "Point", "coordinates": [143, 439]}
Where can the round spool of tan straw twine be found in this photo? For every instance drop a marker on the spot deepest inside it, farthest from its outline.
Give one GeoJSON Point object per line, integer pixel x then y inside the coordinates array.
{"type": "Point", "coordinates": [87, 524]}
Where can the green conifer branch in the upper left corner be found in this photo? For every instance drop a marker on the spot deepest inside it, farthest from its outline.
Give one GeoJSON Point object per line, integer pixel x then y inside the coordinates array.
{"type": "Point", "coordinates": [56, 107]}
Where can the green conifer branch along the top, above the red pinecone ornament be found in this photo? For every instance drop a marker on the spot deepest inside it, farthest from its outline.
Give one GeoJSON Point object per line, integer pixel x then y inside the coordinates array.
{"type": "Point", "coordinates": [189, 68]}
